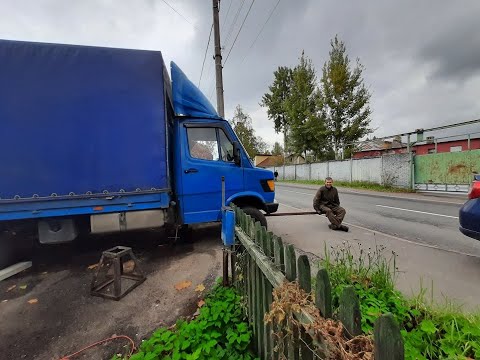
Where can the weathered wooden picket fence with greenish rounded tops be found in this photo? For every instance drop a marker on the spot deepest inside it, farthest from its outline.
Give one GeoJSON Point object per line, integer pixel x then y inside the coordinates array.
{"type": "Point", "coordinates": [264, 263]}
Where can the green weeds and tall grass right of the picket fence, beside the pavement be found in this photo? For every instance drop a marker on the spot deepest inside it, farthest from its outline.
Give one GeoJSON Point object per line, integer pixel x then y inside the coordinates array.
{"type": "Point", "coordinates": [429, 331]}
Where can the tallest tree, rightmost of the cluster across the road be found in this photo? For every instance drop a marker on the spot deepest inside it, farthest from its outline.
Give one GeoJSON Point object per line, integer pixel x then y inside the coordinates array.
{"type": "Point", "coordinates": [344, 100]}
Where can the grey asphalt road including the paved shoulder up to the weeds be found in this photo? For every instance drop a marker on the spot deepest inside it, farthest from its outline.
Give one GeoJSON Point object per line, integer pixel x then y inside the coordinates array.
{"type": "Point", "coordinates": [422, 231]}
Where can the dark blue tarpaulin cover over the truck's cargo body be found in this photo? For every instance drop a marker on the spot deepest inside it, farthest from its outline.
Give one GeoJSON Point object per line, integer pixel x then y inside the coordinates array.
{"type": "Point", "coordinates": [79, 120]}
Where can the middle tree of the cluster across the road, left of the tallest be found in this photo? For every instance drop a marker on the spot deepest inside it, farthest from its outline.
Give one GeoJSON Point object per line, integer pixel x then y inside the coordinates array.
{"type": "Point", "coordinates": [307, 126]}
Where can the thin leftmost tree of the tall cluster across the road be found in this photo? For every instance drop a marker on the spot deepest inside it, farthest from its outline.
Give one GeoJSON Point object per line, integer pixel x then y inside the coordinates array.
{"type": "Point", "coordinates": [275, 101]}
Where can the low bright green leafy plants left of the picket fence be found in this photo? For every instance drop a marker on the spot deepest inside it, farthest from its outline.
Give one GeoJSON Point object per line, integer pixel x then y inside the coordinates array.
{"type": "Point", "coordinates": [221, 331]}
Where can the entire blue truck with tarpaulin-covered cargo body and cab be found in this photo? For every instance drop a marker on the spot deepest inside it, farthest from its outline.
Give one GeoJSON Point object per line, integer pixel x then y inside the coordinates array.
{"type": "Point", "coordinates": [100, 140]}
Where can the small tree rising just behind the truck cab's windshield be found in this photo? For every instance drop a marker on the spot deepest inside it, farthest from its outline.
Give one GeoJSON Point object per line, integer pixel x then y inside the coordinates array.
{"type": "Point", "coordinates": [242, 125]}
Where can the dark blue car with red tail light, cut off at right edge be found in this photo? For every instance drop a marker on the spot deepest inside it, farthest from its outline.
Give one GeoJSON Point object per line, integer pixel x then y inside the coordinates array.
{"type": "Point", "coordinates": [470, 211]}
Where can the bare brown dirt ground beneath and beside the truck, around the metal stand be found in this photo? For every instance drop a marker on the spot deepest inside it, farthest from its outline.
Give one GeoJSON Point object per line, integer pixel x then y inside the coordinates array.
{"type": "Point", "coordinates": [66, 318]}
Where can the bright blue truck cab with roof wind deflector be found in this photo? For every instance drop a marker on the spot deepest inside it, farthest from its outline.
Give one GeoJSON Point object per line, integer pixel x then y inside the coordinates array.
{"type": "Point", "coordinates": [207, 149]}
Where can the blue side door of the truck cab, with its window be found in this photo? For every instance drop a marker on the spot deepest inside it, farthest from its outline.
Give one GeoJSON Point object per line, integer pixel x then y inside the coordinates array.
{"type": "Point", "coordinates": [207, 156]}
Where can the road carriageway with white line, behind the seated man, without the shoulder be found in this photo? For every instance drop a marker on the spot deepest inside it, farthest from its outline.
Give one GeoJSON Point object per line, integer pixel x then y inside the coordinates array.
{"type": "Point", "coordinates": [420, 219]}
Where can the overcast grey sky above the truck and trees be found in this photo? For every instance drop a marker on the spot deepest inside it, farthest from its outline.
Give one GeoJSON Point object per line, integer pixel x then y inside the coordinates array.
{"type": "Point", "coordinates": [422, 58]}
